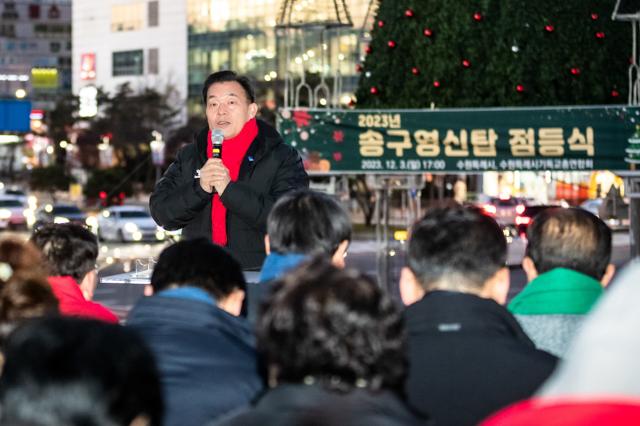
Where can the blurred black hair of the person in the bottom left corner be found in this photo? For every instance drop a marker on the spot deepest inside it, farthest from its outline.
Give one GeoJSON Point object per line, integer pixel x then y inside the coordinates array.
{"type": "Point", "coordinates": [77, 372]}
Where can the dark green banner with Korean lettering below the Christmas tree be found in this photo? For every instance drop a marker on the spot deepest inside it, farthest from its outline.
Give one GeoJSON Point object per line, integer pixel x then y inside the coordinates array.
{"type": "Point", "coordinates": [461, 140]}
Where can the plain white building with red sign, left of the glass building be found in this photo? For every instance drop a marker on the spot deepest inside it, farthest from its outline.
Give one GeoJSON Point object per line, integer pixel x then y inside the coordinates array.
{"type": "Point", "coordinates": [142, 43]}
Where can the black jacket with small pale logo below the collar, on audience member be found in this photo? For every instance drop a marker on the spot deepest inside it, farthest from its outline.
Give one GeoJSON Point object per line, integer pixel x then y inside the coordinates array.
{"type": "Point", "coordinates": [468, 357]}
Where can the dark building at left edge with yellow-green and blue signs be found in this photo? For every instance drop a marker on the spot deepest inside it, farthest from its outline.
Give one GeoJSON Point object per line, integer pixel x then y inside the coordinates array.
{"type": "Point", "coordinates": [35, 70]}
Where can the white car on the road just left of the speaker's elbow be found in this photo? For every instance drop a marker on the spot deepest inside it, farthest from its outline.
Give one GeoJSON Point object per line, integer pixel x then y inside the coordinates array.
{"type": "Point", "coordinates": [128, 223]}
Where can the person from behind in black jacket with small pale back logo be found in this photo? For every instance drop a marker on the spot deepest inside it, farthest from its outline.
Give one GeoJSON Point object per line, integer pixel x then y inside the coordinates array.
{"type": "Point", "coordinates": [468, 356]}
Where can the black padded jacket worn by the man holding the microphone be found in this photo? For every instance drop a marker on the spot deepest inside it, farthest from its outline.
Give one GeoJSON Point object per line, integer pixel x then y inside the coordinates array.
{"type": "Point", "coordinates": [270, 169]}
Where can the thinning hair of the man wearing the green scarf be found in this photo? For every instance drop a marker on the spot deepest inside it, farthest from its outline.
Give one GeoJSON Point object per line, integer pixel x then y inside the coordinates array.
{"type": "Point", "coordinates": [569, 238]}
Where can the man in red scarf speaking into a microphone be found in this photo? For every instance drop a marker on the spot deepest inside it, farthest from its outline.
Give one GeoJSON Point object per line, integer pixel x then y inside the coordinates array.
{"type": "Point", "coordinates": [226, 195]}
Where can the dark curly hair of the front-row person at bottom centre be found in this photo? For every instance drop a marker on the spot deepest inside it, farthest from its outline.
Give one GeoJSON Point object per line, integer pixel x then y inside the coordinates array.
{"type": "Point", "coordinates": [334, 325]}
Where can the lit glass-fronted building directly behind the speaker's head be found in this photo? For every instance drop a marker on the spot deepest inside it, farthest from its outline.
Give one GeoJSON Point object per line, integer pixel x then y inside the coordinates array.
{"type": "Point", "coordinates": [244, 35]}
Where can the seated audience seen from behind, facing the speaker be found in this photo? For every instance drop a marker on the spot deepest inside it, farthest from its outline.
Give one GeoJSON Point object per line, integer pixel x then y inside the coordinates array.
{"type": "Point", "coordinates": [316, 343]}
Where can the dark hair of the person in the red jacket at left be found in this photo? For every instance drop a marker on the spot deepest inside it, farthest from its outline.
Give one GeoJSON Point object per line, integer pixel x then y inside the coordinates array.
{"type": "Point", "coordinates": [69, 249]}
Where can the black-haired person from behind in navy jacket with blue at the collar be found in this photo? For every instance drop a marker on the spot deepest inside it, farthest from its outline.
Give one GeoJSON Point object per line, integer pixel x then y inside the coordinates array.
{"type": "Point", "coordinates": [205, 351]}
